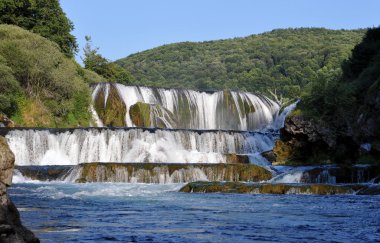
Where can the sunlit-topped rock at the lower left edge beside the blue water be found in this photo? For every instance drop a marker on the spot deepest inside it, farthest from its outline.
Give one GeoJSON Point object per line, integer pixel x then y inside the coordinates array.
{"type": "Point", "coordinates": [11, 229]}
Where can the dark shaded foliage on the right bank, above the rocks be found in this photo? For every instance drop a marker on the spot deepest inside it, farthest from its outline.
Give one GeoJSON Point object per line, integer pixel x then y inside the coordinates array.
{"type": "Point", "coordinates": [336, 98]}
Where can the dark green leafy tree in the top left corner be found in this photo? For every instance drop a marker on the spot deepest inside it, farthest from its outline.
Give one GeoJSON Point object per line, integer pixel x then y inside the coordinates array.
{"type": "Point", "coordinates": [44, 17]}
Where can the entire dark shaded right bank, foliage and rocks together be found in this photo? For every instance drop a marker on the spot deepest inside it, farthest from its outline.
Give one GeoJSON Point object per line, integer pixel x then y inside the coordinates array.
{"type": "Point", "coordinates": [339, 119]}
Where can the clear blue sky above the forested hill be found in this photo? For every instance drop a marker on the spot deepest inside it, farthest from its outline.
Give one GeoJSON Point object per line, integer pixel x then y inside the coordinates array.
{"type": "Point", "coordinates": [123, 27]}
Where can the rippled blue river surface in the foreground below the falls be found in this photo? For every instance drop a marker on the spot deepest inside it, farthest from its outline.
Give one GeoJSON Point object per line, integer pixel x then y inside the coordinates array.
{"type": "Point", "coordinates": [157, 213]}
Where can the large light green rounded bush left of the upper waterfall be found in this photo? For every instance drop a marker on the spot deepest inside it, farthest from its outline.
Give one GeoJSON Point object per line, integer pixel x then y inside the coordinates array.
{"type": "Point", "coordinates": [42, 85]}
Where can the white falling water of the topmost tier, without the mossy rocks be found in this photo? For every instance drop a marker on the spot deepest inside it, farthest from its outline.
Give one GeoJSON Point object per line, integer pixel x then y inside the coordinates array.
{"type": "Point", "coordinates": [206, 110]}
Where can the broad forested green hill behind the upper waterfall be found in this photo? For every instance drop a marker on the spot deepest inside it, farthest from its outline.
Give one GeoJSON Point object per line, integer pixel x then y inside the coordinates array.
{"type": "Point", "coordinates": [285, 60]}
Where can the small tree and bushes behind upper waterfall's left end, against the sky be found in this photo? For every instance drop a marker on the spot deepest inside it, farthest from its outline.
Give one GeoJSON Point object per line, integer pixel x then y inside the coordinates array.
{"type": "Point", "coordinates": [110, 71]}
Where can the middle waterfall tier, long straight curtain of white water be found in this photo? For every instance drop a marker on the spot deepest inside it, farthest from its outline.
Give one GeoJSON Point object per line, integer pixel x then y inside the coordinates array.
{"type": "Point", "coordinates": [74, 146]}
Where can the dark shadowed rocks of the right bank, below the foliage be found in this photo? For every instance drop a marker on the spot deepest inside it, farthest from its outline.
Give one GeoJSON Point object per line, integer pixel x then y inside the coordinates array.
{"type": "Point", "coordinates": [307, 141]}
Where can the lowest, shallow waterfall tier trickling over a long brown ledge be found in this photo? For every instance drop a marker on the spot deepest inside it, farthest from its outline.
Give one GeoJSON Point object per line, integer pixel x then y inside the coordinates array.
{"type": "Point", "coordinates": [162, 173]}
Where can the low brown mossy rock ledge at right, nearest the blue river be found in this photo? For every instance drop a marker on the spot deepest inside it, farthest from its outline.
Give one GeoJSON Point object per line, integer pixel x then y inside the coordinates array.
{"type": "Point", "coordinates": [256, 188]}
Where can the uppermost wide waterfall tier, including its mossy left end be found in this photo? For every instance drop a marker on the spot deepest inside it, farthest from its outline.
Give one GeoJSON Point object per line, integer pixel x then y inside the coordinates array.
{"type": "Point", "coordinates": [188, 109]}
